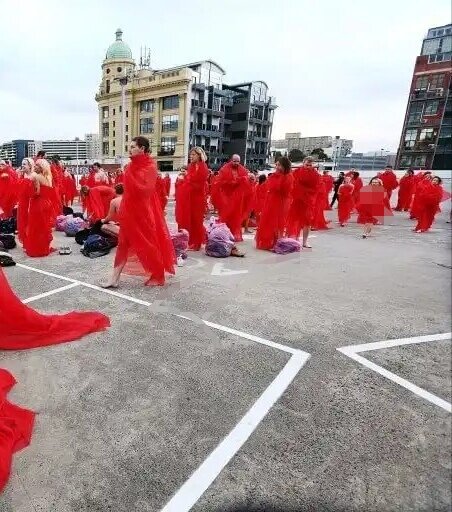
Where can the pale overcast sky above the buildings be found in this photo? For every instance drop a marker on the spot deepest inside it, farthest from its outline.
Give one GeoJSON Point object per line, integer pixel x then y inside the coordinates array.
{"type": "Point", "coordinates": [336, 67]}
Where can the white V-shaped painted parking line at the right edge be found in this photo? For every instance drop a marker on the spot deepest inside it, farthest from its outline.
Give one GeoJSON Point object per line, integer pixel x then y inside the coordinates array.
{"type": "Point", "coordinates": [353, 351]}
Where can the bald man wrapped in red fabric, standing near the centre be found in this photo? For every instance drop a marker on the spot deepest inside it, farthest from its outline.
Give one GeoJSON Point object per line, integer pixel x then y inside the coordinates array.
{"type": "Point", "coordinates": [234, 186]}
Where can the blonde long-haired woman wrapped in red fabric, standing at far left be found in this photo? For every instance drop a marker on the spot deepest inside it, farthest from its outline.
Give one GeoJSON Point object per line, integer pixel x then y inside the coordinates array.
{"type": "Point", "coordinates": [41, 212]}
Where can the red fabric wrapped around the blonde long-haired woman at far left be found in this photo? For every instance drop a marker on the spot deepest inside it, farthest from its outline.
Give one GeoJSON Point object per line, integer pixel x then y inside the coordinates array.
{"type": "Point", "coordinates": [40, 221]}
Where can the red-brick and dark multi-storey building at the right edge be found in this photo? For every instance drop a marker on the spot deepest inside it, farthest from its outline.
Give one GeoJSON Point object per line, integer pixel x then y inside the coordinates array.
{"type": "Point", "coordinates": [426, 140]}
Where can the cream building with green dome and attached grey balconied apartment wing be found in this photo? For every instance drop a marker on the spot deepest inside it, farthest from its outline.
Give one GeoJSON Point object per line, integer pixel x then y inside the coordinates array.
{"type": "Point", "coordinates": [178, 108]}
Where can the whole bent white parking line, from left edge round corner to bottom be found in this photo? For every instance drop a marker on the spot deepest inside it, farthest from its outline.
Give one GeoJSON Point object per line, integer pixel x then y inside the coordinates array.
{"type": "Point", "coordinates": [194, 487]}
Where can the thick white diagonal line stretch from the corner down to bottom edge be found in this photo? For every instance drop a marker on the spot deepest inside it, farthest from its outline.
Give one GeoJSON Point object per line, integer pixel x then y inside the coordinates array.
{"type": "Point", "coordinates": [190, 492]}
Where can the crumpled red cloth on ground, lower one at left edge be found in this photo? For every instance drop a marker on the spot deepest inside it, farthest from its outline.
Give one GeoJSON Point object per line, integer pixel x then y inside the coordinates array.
{"type": "Point", "coordinates": [16, 426]}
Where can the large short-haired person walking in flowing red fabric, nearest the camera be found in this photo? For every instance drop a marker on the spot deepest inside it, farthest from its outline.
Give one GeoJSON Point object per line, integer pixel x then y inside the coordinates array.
{"type": "Point", "coordinates": [144, 245]}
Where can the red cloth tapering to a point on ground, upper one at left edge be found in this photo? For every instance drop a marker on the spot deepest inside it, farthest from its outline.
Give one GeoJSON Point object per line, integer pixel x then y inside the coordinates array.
{"type": "Point", "coordinates": [23, 327]}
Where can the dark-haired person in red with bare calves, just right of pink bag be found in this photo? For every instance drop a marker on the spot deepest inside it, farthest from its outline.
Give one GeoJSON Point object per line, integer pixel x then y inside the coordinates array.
{"type": "Point", "coordinates": [301, 213]}
